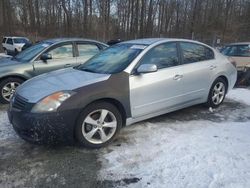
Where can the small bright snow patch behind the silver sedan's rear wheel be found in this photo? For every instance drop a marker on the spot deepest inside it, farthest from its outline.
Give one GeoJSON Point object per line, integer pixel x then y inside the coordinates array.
{"type": "Point", "coordinates": [239, 94]}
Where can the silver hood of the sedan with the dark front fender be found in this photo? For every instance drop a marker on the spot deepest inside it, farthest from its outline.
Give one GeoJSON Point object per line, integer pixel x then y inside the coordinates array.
{"type": "Point", "coordinates": [65, 79]}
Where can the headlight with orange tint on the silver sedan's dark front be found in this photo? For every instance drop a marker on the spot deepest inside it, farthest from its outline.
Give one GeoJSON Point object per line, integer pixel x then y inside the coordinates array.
{"type": "Point", "coordinates": [52, 102]}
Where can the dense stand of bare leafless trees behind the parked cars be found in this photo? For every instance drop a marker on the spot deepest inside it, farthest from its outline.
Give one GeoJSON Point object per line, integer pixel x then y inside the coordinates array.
{"type": "Point", "coordinates": [209, 21]}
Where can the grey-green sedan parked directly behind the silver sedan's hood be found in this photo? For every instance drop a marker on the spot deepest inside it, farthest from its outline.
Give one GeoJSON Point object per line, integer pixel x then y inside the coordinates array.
{"type": "Point", "coordinates": [45, 56]}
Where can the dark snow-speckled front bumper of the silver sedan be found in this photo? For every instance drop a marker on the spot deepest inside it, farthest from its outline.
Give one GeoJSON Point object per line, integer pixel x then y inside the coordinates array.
{"type": "Point", "coordinates": [44, 128]}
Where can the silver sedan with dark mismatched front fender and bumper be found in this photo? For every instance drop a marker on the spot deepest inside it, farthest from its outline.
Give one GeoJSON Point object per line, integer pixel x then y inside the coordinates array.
{"type": "Point", "coordinates": [126, 83]}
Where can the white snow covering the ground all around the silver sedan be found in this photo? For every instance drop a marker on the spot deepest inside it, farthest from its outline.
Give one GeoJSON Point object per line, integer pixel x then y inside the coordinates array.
{"type": "Point", "coordinates": [192, 151]}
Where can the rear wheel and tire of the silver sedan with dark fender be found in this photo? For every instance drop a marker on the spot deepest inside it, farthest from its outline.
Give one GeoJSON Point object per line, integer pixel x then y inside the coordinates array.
{"type": "Point", "coordinates": [217, 93]}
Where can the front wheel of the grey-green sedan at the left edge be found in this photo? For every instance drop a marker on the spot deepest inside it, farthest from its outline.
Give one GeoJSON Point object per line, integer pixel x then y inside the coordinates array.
{"type": "Point", "coordinates": [8, 86]}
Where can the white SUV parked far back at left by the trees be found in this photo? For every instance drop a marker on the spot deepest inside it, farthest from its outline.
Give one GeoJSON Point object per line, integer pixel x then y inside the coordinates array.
{"type": "Point", "coordinates": [14, 44]}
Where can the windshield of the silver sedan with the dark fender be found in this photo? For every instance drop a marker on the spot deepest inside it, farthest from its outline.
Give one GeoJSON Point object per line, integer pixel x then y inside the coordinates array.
{"type": "Point", "coordinates": [112, 60]}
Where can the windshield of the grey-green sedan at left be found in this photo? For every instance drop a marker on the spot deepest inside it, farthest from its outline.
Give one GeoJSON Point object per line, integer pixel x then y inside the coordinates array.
{"type": "Point", "coordinates": [29, 53]}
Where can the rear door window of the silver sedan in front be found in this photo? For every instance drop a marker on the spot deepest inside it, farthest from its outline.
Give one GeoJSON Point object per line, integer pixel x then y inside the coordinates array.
{"type": "Point", "coordinates": [193, 52]}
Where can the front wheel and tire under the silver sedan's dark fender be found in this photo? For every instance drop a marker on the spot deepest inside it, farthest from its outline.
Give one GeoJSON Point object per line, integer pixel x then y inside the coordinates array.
{"type": "Point", "coordinates": [90, 126]}
